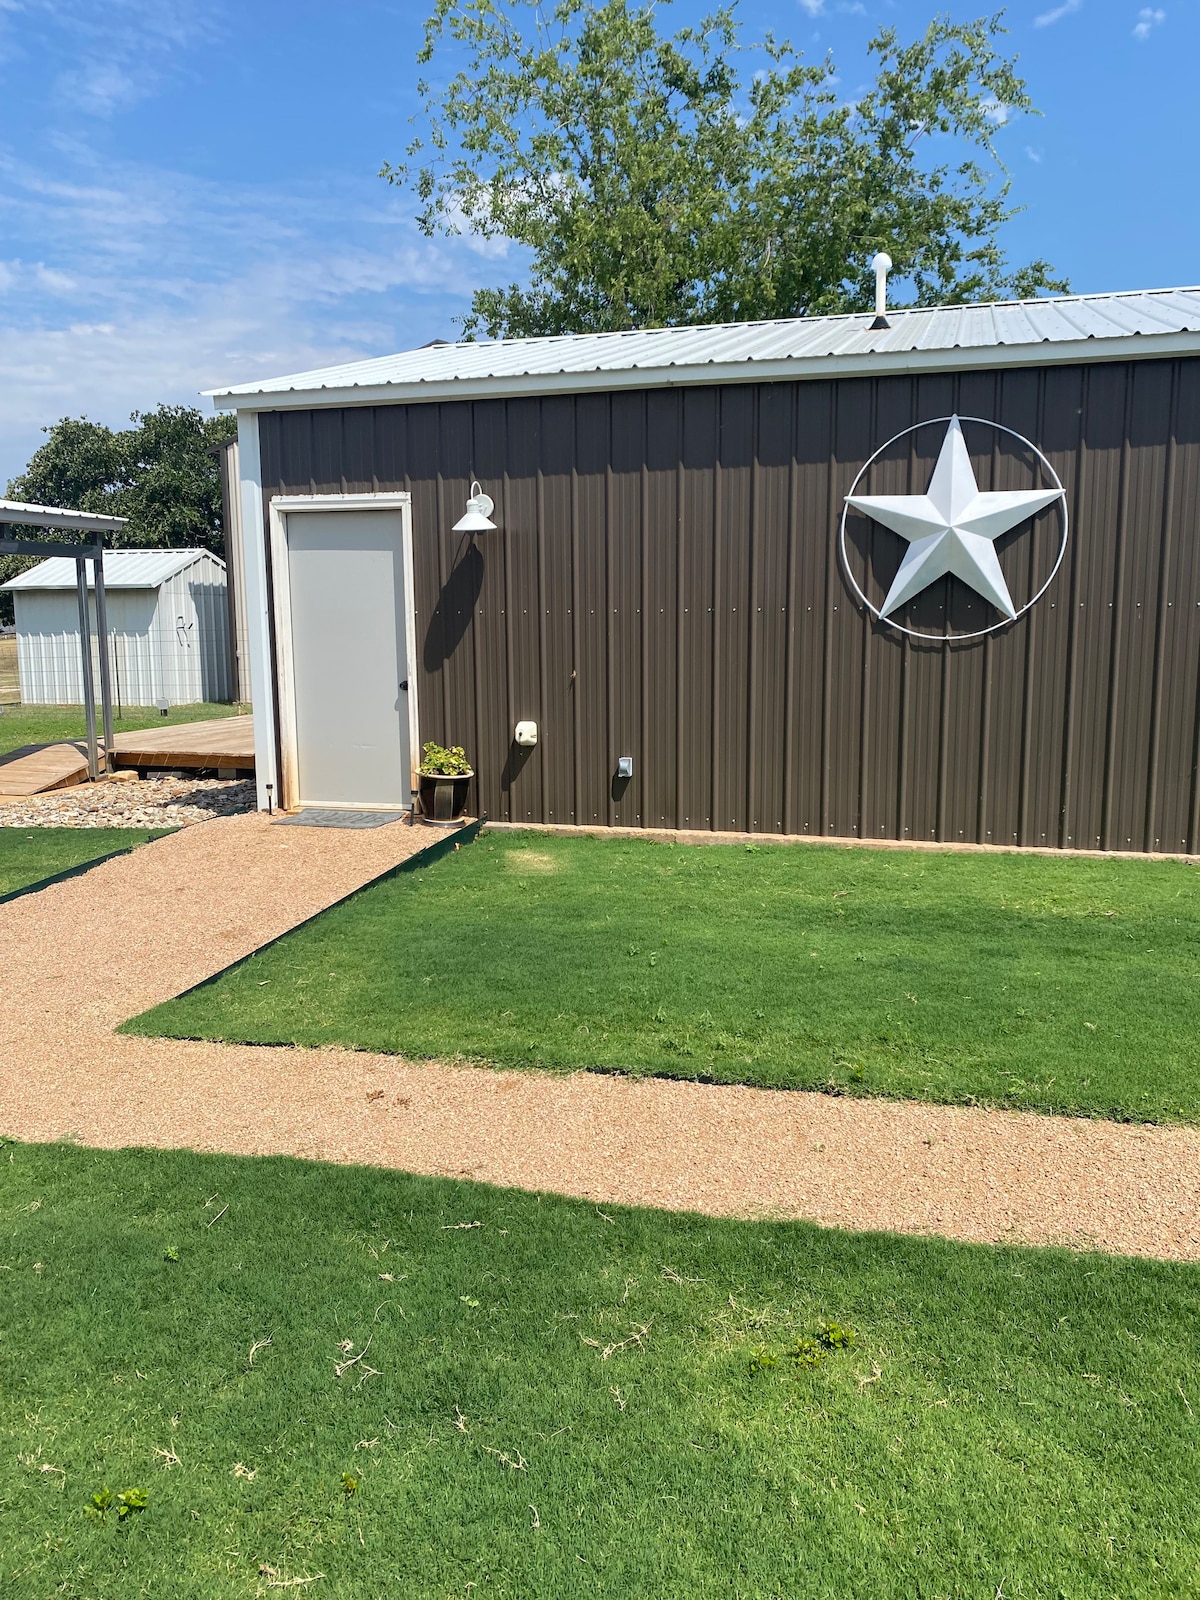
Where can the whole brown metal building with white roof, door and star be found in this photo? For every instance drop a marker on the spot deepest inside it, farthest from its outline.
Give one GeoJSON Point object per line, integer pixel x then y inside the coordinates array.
{"type": "Point", "coordinates": [937, 580]}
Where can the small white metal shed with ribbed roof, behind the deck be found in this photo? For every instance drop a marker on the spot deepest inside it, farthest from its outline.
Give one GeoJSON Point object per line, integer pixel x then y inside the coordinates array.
{"type": "Point", "coordinates": [169, 630]}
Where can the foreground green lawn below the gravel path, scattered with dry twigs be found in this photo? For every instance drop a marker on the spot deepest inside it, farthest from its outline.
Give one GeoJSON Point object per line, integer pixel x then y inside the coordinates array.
{"type": "Point", "coordinates": [425, 1388]}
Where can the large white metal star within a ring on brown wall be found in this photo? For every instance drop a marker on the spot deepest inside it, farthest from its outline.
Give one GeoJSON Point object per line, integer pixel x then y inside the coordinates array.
{"type": "Point", "coordinates": [953, 529]}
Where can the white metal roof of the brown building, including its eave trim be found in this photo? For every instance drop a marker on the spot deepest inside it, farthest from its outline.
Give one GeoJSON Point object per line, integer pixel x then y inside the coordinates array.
{"type": "Point", "coordinates": [1063, 329]}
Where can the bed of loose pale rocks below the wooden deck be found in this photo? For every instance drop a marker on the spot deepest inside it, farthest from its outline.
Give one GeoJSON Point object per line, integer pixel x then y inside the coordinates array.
{"type": "Point", "coordinates": [150, 802]}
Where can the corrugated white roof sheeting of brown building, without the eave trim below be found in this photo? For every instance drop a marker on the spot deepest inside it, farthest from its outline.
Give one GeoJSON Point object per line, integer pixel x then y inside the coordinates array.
{"type": "Point", "coordinates": [1002, 326]}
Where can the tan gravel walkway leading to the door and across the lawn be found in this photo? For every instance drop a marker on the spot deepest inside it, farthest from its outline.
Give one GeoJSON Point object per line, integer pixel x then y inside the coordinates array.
{"type": "Point", "coordinates": [143, 927]}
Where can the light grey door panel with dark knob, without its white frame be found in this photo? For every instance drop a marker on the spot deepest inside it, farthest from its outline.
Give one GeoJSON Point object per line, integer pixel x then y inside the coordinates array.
{"type": "Point", "coordinates": [350, 617]}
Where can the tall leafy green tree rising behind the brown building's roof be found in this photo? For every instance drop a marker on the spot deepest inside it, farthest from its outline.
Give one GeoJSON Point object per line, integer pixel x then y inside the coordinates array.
{"type": "Point", "coordinates": [655, 183]}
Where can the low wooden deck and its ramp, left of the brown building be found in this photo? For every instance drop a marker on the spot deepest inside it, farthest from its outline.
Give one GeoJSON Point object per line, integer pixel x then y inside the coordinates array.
{"type": "Point", "coordinates": [225, 745]}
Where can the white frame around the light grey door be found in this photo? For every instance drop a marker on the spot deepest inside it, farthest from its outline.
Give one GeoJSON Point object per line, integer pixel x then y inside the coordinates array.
{"type": "Point", "coordinates": [286, 673]}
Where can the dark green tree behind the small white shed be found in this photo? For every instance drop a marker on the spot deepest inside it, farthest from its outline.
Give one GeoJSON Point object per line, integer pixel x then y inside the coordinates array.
{"type": "Point", "coordinates": [162, 474]}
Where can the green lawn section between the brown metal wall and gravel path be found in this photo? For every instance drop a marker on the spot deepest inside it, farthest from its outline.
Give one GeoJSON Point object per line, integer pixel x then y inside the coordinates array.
{"type": "Point", "coordinates": [1062, 985]}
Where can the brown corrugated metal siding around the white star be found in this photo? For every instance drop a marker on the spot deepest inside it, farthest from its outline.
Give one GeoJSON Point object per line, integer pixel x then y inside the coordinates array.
{"type": "Point", "coordinates": [666, 585]}
